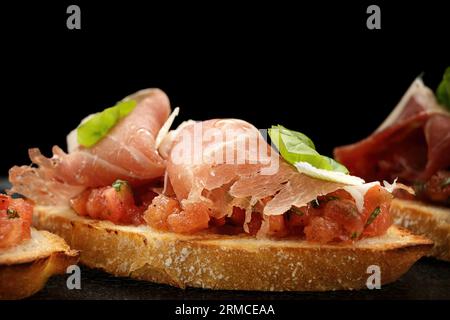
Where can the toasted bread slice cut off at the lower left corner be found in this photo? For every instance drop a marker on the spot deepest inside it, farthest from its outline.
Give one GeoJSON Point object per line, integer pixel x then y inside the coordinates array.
{"type": "Point", "coordinates": [25, 268]}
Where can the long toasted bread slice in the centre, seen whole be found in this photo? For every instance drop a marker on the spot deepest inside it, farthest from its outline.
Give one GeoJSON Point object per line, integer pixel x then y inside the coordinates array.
{"type": "Point", "coordinates": [231, 262]}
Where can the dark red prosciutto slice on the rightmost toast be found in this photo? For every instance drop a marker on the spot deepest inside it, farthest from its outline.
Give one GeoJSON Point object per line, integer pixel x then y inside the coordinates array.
{"type": "Point", "coordinates": [413, 143]}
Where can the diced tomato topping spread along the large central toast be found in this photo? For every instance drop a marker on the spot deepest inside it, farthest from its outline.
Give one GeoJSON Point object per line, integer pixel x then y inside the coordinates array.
{"type": "Point", "coordinates": [330, 218]}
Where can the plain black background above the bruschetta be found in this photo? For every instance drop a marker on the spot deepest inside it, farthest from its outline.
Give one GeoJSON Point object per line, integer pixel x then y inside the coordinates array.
{"type": "Point", "coordinates": [315, 67]}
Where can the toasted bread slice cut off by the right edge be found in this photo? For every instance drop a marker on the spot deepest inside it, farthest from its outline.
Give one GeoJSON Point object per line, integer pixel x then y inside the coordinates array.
{"type": "Point", "coordinates": [428, 220]}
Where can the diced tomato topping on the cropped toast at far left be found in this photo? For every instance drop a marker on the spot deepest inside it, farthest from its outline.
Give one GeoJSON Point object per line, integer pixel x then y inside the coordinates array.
{"type": "Point", "coordinates": [15, 221]}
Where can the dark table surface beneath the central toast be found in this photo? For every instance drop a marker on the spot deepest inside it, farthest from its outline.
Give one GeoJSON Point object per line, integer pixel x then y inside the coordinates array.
{"type": "Point", "coordinates": [427, 279]}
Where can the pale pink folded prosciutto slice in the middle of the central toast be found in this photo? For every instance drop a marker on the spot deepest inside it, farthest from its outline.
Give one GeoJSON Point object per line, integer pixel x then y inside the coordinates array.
{"type": "Point", "coordinates": [205, 175]}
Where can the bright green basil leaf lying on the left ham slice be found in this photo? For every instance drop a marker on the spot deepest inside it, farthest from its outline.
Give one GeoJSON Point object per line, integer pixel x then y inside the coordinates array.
{"type": "Point", "coordinates": [98, 126]}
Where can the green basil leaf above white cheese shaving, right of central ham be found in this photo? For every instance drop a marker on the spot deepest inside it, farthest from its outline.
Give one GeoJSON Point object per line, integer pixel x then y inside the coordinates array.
{"type": "Point", "coordinates": [296, 147]}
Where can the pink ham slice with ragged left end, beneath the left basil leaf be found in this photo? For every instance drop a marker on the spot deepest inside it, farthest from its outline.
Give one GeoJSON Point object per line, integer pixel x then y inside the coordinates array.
{"type": "Point", "coordinates": [127, 152]}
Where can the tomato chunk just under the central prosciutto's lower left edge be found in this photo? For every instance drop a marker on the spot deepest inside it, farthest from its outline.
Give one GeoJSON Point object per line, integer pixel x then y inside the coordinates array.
{"type": "Point", "coordinates": [193, 218]}
